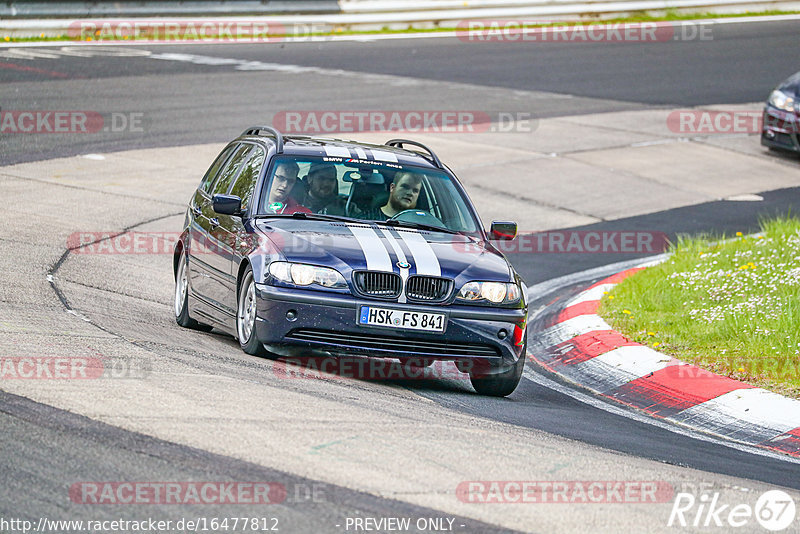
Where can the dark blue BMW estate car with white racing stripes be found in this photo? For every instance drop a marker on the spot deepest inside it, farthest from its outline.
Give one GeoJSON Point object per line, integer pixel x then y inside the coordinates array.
{"type": "Point", "coordinates": [300, 245]}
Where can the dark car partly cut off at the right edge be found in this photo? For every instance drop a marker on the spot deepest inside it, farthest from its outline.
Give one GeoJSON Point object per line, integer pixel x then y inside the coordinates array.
{"type": "Point", "coordinates": [781, 119]}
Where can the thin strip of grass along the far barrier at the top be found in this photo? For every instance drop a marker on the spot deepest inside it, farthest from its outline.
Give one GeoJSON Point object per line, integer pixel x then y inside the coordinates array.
{"type": "Point", "coordinates": [670, 15]}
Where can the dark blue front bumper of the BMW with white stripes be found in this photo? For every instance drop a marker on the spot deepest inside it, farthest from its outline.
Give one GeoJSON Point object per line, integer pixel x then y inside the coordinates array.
{"type": "Point", "coordinates": [327, 323]}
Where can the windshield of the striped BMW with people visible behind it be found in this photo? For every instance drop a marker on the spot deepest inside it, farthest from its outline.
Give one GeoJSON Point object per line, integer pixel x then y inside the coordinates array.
{"type": "Point", "coordinates": [366, 190]}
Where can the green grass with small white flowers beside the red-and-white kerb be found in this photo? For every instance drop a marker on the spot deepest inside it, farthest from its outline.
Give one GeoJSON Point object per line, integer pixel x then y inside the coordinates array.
{"type": "Point", "coordinates": [731, 306]}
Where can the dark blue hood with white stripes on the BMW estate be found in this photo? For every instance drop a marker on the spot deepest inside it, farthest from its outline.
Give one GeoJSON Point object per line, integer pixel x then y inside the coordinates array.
{"type": "Point", "coordinates": [351, 247]}
